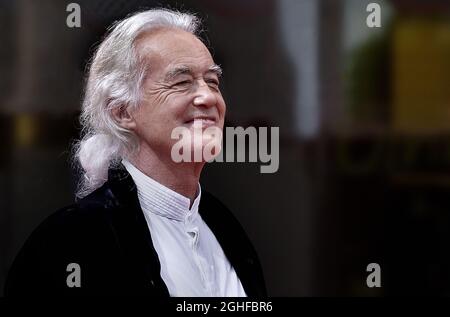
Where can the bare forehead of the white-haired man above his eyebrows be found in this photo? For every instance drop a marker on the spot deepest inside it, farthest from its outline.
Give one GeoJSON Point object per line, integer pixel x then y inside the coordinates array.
{"type": "Point", "coordinates": [166, 49]}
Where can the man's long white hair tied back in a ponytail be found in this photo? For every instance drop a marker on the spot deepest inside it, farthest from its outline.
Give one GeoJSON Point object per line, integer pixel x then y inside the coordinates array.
{"type": "Point", "coordinates": [114, 80]}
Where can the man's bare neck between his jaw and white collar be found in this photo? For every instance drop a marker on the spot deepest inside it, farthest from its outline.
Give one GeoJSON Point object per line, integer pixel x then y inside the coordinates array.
{"type": "Point", "coordinates": [182, 177]}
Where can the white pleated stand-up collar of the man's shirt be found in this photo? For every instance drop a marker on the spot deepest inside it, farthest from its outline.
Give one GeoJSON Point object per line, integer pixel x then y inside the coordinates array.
{"type": "Point", "coordinates": [161, 200]}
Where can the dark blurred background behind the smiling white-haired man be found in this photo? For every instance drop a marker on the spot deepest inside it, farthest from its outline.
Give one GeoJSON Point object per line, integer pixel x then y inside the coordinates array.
{"type": "Point", "coordinates": [364, 117]}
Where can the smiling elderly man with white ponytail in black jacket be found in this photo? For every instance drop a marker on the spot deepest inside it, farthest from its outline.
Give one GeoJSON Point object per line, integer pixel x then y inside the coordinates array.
{"type": "Point", "coordinates": [142, 223]}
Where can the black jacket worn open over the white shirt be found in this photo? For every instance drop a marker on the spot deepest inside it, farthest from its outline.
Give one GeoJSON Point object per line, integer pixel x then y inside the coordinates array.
{"type": "Point", "coordinates": [107, 235]}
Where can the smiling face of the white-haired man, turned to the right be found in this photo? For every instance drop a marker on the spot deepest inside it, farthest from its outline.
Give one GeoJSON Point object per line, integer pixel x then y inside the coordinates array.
{"type": "Point", "coordinates": [181, 89]}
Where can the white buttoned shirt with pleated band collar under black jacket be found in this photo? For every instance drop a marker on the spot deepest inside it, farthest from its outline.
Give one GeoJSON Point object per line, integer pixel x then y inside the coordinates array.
{"type": "Point", "coordinates": [192, 260]}
